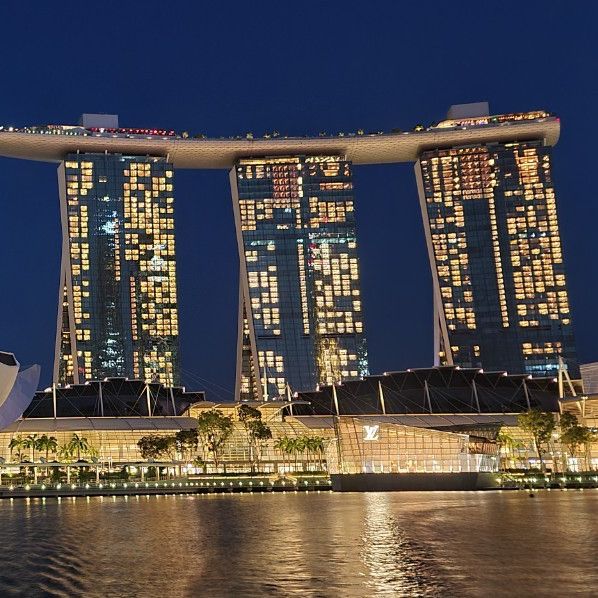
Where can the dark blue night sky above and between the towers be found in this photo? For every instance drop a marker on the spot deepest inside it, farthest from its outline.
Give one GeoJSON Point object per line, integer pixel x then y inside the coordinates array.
{"type": "Point", "coordinates": [228, 68]}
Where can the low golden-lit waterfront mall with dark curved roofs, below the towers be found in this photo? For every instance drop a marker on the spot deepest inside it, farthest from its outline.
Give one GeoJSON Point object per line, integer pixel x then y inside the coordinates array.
{"type": "Point", "coordinates": [433, 421]}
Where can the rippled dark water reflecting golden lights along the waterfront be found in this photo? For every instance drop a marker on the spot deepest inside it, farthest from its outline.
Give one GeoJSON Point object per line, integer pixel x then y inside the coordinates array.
{"type": "Point", "coordinates": [391, 544]}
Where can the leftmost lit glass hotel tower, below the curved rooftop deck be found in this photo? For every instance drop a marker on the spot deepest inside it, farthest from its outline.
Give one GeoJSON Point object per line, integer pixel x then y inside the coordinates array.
{"type": "Point", "coordinates": [118, 314]}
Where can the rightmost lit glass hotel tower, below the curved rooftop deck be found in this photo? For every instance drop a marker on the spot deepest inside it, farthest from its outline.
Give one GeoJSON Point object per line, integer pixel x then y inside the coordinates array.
{"type": "Point", "coordinates": [493, 237]}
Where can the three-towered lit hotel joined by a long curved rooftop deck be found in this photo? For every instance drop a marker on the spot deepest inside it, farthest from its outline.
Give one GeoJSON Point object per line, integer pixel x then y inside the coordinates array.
{"type": "Point", "coordinates": [489, 208]}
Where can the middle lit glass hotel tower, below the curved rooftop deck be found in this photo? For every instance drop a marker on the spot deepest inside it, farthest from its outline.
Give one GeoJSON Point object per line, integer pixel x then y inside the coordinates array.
{"type": "Point", "coordinates": [300, 312]}
